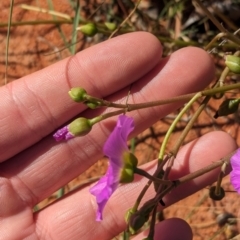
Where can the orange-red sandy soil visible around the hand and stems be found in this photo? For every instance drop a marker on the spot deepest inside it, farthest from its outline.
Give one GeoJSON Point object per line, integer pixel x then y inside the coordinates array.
{"type": "Point", "coordinates": [27, 49]}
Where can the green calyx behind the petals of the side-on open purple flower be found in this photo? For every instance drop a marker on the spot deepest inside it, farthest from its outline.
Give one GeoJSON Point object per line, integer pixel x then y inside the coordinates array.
{"type": "Point", "coordinates": [130, 162]}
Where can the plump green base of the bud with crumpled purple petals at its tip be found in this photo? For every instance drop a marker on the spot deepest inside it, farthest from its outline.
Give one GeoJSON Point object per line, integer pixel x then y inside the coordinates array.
{"type": "Point", "coordinates": [80, 126]}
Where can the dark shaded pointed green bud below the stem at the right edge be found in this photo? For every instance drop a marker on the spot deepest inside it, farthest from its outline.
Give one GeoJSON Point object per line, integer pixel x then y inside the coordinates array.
{"type": "Point", "coordinates": [227, 107]}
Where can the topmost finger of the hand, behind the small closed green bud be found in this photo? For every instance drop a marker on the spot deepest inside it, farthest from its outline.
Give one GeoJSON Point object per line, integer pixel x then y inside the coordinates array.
{"type": "Point", "coordinates": [35, 105]}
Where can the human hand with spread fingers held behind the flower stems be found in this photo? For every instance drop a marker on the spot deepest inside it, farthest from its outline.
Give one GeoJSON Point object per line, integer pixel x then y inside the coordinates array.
{"type": "Point", "coordinates": [33, 165]}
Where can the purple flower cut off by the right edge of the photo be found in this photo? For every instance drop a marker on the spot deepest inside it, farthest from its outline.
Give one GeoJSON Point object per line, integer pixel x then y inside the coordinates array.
{"type": "Point", "coordinates": [235, 173]}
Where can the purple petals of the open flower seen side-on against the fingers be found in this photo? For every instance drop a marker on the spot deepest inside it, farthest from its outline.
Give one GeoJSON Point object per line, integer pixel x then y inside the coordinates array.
{"type": "Point", "coordinates": [114, 149]}
